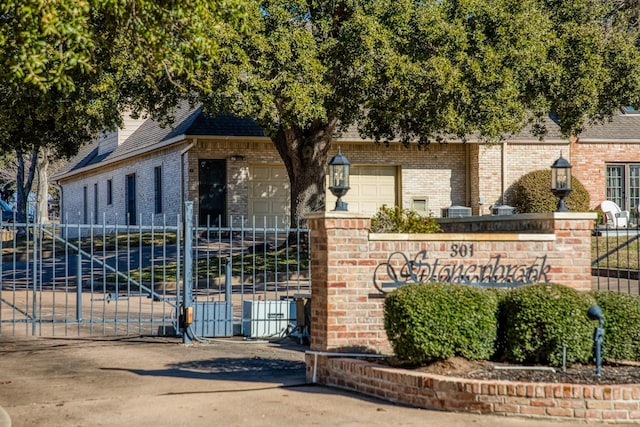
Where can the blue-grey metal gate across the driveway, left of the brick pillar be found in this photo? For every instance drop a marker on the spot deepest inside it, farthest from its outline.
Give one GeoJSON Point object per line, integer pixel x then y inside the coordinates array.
{"type": "Point", "coordinates": [101, 279]}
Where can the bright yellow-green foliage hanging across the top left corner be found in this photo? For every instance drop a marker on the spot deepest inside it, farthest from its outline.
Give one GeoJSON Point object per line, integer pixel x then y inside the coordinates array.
{"type": "Point", "coordinates": [48, 44]}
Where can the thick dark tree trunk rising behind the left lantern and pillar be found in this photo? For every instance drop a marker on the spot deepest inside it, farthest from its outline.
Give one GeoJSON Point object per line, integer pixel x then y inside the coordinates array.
{"type": "Point", "coordinates": [305, 154]}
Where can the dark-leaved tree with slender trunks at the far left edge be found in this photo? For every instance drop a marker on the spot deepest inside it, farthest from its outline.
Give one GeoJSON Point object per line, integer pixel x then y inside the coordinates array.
{"type": "Point", "coordinates": [40, 127]}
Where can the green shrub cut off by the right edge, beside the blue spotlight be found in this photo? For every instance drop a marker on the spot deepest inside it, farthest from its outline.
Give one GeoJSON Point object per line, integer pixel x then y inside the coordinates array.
{"type": "Point", "coordinates": [621, 325]}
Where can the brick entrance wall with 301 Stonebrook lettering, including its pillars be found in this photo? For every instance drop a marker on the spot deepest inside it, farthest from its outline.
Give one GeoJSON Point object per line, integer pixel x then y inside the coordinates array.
{"type": "Point", "coordinates": [347, 308]}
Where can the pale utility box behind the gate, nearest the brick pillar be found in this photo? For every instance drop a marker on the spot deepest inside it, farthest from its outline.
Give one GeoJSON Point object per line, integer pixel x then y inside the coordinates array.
{"type": "Point", "coordinates": [267, 318]}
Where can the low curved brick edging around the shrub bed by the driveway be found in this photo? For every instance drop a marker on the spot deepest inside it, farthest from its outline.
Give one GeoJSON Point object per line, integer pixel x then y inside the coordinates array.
{"type": "Point", "coordinates": [578, 402]}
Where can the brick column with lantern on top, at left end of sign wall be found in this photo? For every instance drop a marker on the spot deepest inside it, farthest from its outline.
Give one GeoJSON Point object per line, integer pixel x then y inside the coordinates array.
{"type": "Point", "coordinates": [343, 316]}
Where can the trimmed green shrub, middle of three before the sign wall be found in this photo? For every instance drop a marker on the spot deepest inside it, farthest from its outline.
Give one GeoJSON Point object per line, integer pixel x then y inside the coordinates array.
{"type": "Point", "coordinates": [537, 320]}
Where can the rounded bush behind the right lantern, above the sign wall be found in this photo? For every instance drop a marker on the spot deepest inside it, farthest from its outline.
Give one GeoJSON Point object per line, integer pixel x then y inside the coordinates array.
{"type": "Point", "coordinates": [532, 194]}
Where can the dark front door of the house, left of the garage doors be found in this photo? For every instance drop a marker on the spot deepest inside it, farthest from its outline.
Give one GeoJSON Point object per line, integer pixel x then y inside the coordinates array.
{"type": "Point", "coordinates": [212, 192]}
